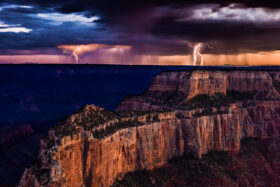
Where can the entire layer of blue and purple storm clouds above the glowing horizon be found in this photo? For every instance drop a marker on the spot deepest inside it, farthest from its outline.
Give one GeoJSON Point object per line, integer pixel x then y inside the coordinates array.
{"type": "Point", "coordinates": [151, 27]}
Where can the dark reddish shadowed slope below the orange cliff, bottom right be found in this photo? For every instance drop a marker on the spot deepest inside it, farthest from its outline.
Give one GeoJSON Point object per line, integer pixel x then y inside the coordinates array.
{"type": "Point", "coordinates": [257, 164]}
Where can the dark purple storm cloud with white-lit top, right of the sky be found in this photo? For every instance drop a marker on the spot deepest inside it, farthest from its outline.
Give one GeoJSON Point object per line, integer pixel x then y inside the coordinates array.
{"type": "Point", "coordinates": [231, 29]}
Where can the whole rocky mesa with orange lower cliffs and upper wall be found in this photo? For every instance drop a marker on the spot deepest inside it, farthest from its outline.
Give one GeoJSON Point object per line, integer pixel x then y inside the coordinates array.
{"type": "Point", "coordinates": [182, 113]}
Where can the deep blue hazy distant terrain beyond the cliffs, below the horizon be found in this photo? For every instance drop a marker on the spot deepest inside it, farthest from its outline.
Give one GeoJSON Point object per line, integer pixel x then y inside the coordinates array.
{"type": "Point", "coordinates": [41, 94]}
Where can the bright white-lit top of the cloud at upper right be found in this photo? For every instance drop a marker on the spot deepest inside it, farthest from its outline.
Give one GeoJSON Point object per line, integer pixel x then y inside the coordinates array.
{"type": "Point", "coordinates": [233, 12]}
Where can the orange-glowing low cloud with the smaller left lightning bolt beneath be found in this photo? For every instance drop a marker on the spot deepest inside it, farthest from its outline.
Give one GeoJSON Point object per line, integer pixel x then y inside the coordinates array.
{"type": "Point", "coordinates": [77, 50]}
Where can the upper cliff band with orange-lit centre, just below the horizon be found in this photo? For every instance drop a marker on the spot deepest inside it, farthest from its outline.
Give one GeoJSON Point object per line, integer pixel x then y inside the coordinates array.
{"type": "Point", "coordinates": [209, 82]}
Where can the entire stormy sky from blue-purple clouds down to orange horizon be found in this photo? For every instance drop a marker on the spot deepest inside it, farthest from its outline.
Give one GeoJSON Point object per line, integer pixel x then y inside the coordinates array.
{"type": "Point", "coordinates": [139, 31]}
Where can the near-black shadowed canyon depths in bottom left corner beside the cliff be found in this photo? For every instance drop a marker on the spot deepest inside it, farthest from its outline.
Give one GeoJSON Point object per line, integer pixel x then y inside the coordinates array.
{"type": "Point", "coordinates": [14, 141]}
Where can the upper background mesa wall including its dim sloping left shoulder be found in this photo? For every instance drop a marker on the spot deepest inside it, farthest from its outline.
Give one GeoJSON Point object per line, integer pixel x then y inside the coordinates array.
{"type": "Point", "coordinates": [186, 85]}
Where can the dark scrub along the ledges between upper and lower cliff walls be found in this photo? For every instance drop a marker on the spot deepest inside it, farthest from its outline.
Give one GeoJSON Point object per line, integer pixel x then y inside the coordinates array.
{"type": "Point", "coordinates": [89, 117]}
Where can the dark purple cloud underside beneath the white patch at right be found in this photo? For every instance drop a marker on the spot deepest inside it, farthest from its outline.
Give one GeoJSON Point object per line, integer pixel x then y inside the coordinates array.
{"type": "Point", "coordinates": [226, 37]}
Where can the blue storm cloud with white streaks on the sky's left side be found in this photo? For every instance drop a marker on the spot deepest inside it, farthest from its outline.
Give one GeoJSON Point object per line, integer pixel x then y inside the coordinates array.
{"type": "Point", "coordinates": [46, 28]}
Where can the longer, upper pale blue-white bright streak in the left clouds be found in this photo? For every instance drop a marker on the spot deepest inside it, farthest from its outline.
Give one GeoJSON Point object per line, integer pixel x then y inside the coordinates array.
{"type": "Point", "coordinates": [59, 18]}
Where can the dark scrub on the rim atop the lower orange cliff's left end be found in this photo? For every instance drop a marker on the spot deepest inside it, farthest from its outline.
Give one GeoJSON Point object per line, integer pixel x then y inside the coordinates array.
{"type": "Point", "coordinates": [89, 119]}
